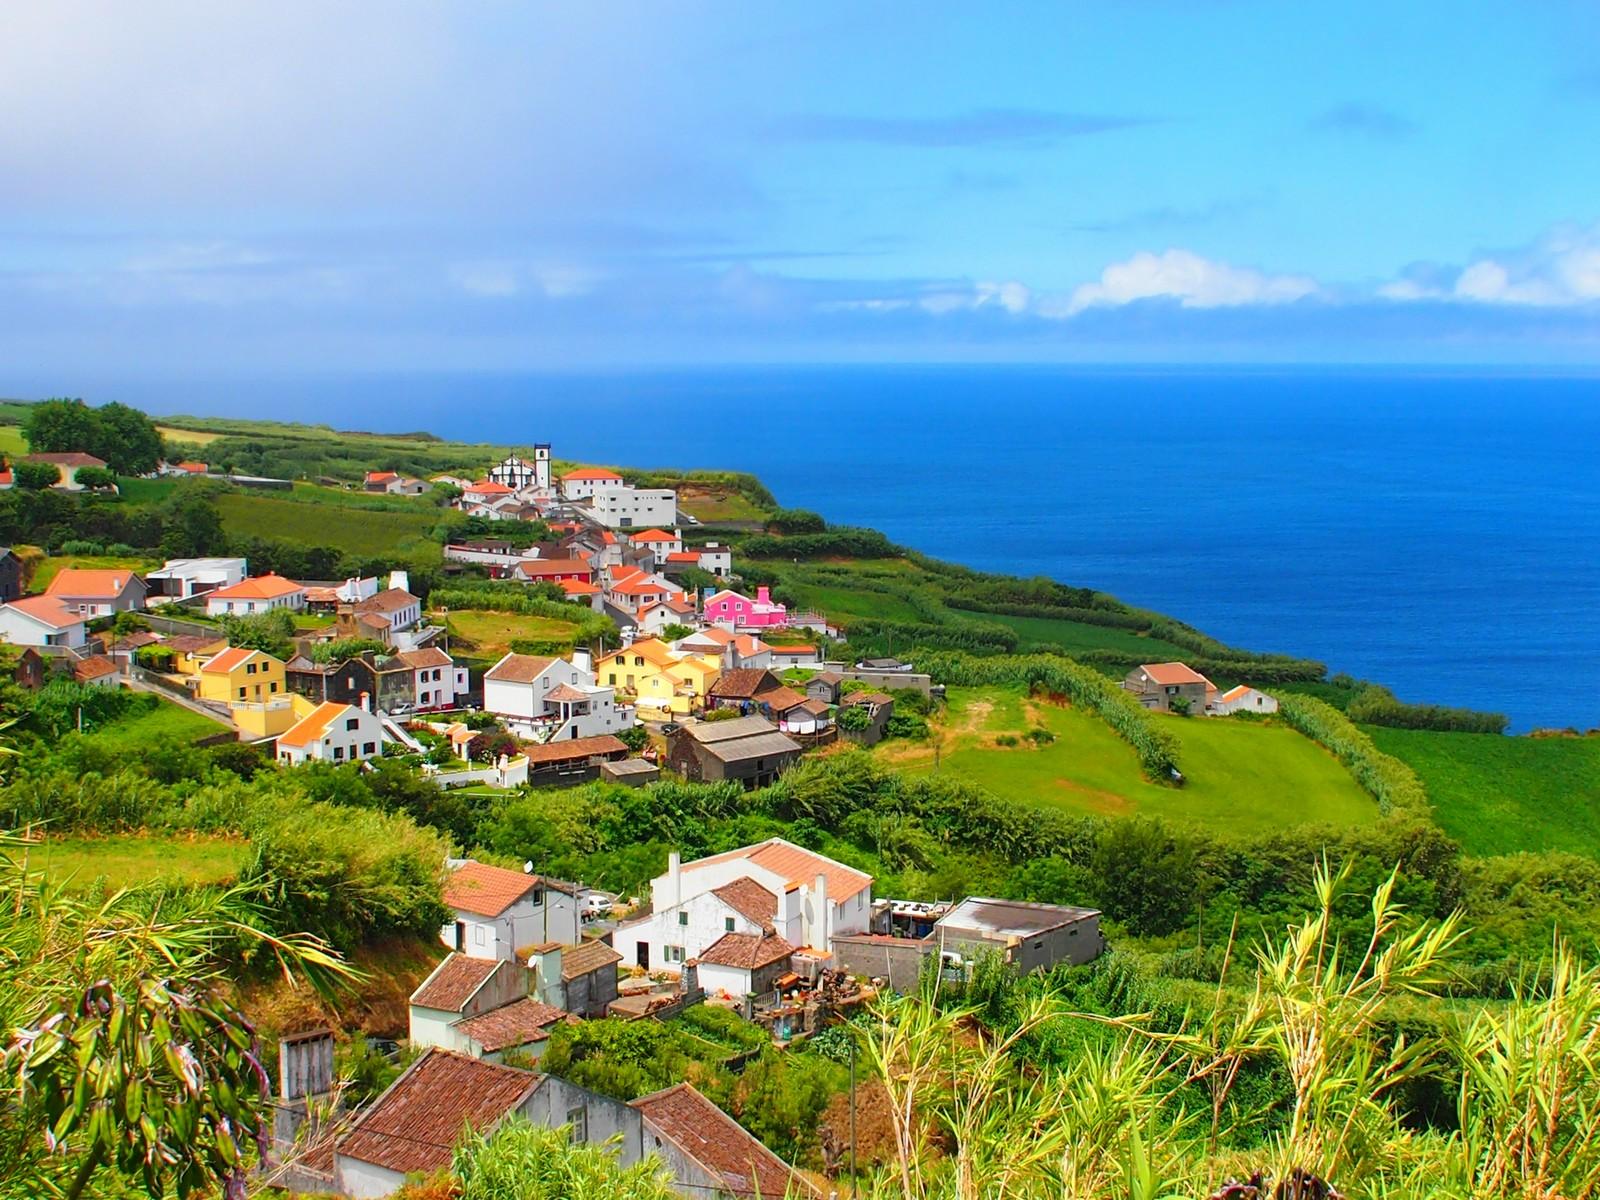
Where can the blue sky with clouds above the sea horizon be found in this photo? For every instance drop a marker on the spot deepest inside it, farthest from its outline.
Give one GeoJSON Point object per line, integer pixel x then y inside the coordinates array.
{"type": "Point", "coordinates": [414, 186]}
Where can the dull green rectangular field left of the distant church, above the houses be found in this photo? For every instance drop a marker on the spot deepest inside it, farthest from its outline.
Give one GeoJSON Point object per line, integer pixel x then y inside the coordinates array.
{"type": "Point", "coordinates": [358, 530]}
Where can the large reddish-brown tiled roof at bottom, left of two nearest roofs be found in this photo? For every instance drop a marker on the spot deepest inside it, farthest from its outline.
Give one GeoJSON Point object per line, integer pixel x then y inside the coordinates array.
{"type": "Point", "coordinates": [417, 1124]}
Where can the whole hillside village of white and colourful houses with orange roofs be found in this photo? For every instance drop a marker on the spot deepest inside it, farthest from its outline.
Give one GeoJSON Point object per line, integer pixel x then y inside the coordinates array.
{"type": "Point", "coordinates": [705, 684]}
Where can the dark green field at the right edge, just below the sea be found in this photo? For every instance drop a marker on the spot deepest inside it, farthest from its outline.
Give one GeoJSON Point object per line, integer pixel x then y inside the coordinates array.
{"type": "Point", "coordinates": [1498, 796]}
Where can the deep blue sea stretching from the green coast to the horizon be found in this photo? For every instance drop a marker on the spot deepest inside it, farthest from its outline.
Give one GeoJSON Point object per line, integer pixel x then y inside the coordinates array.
{"type": "Point", "coordinates": [1438, 532]}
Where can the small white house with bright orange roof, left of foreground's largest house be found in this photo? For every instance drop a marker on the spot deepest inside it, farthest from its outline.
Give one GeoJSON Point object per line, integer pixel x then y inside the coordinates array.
{"type": "Point", "coordinates": [500, 913]}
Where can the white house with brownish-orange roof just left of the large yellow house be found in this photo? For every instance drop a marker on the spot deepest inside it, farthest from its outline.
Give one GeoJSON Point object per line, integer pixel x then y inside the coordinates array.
{"type": "Point", "coordinates": [550, 698]}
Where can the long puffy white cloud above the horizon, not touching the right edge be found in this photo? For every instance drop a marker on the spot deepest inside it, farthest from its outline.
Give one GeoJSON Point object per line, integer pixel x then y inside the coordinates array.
{"type": "Point", "coordinates": [1191, 279]}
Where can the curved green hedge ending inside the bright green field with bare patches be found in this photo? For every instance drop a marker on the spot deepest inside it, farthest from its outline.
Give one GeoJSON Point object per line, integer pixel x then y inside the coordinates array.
{"type": "Point", "coordinates": [1086, 687]}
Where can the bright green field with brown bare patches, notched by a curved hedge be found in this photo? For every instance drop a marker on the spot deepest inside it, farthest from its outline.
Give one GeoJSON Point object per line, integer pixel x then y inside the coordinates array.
{"type": "Point", "coordinates": [1244, 777]}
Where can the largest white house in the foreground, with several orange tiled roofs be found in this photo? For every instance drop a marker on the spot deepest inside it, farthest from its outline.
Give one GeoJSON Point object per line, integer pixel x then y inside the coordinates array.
{"type": "Point", "coordinates": [774, 890]}
